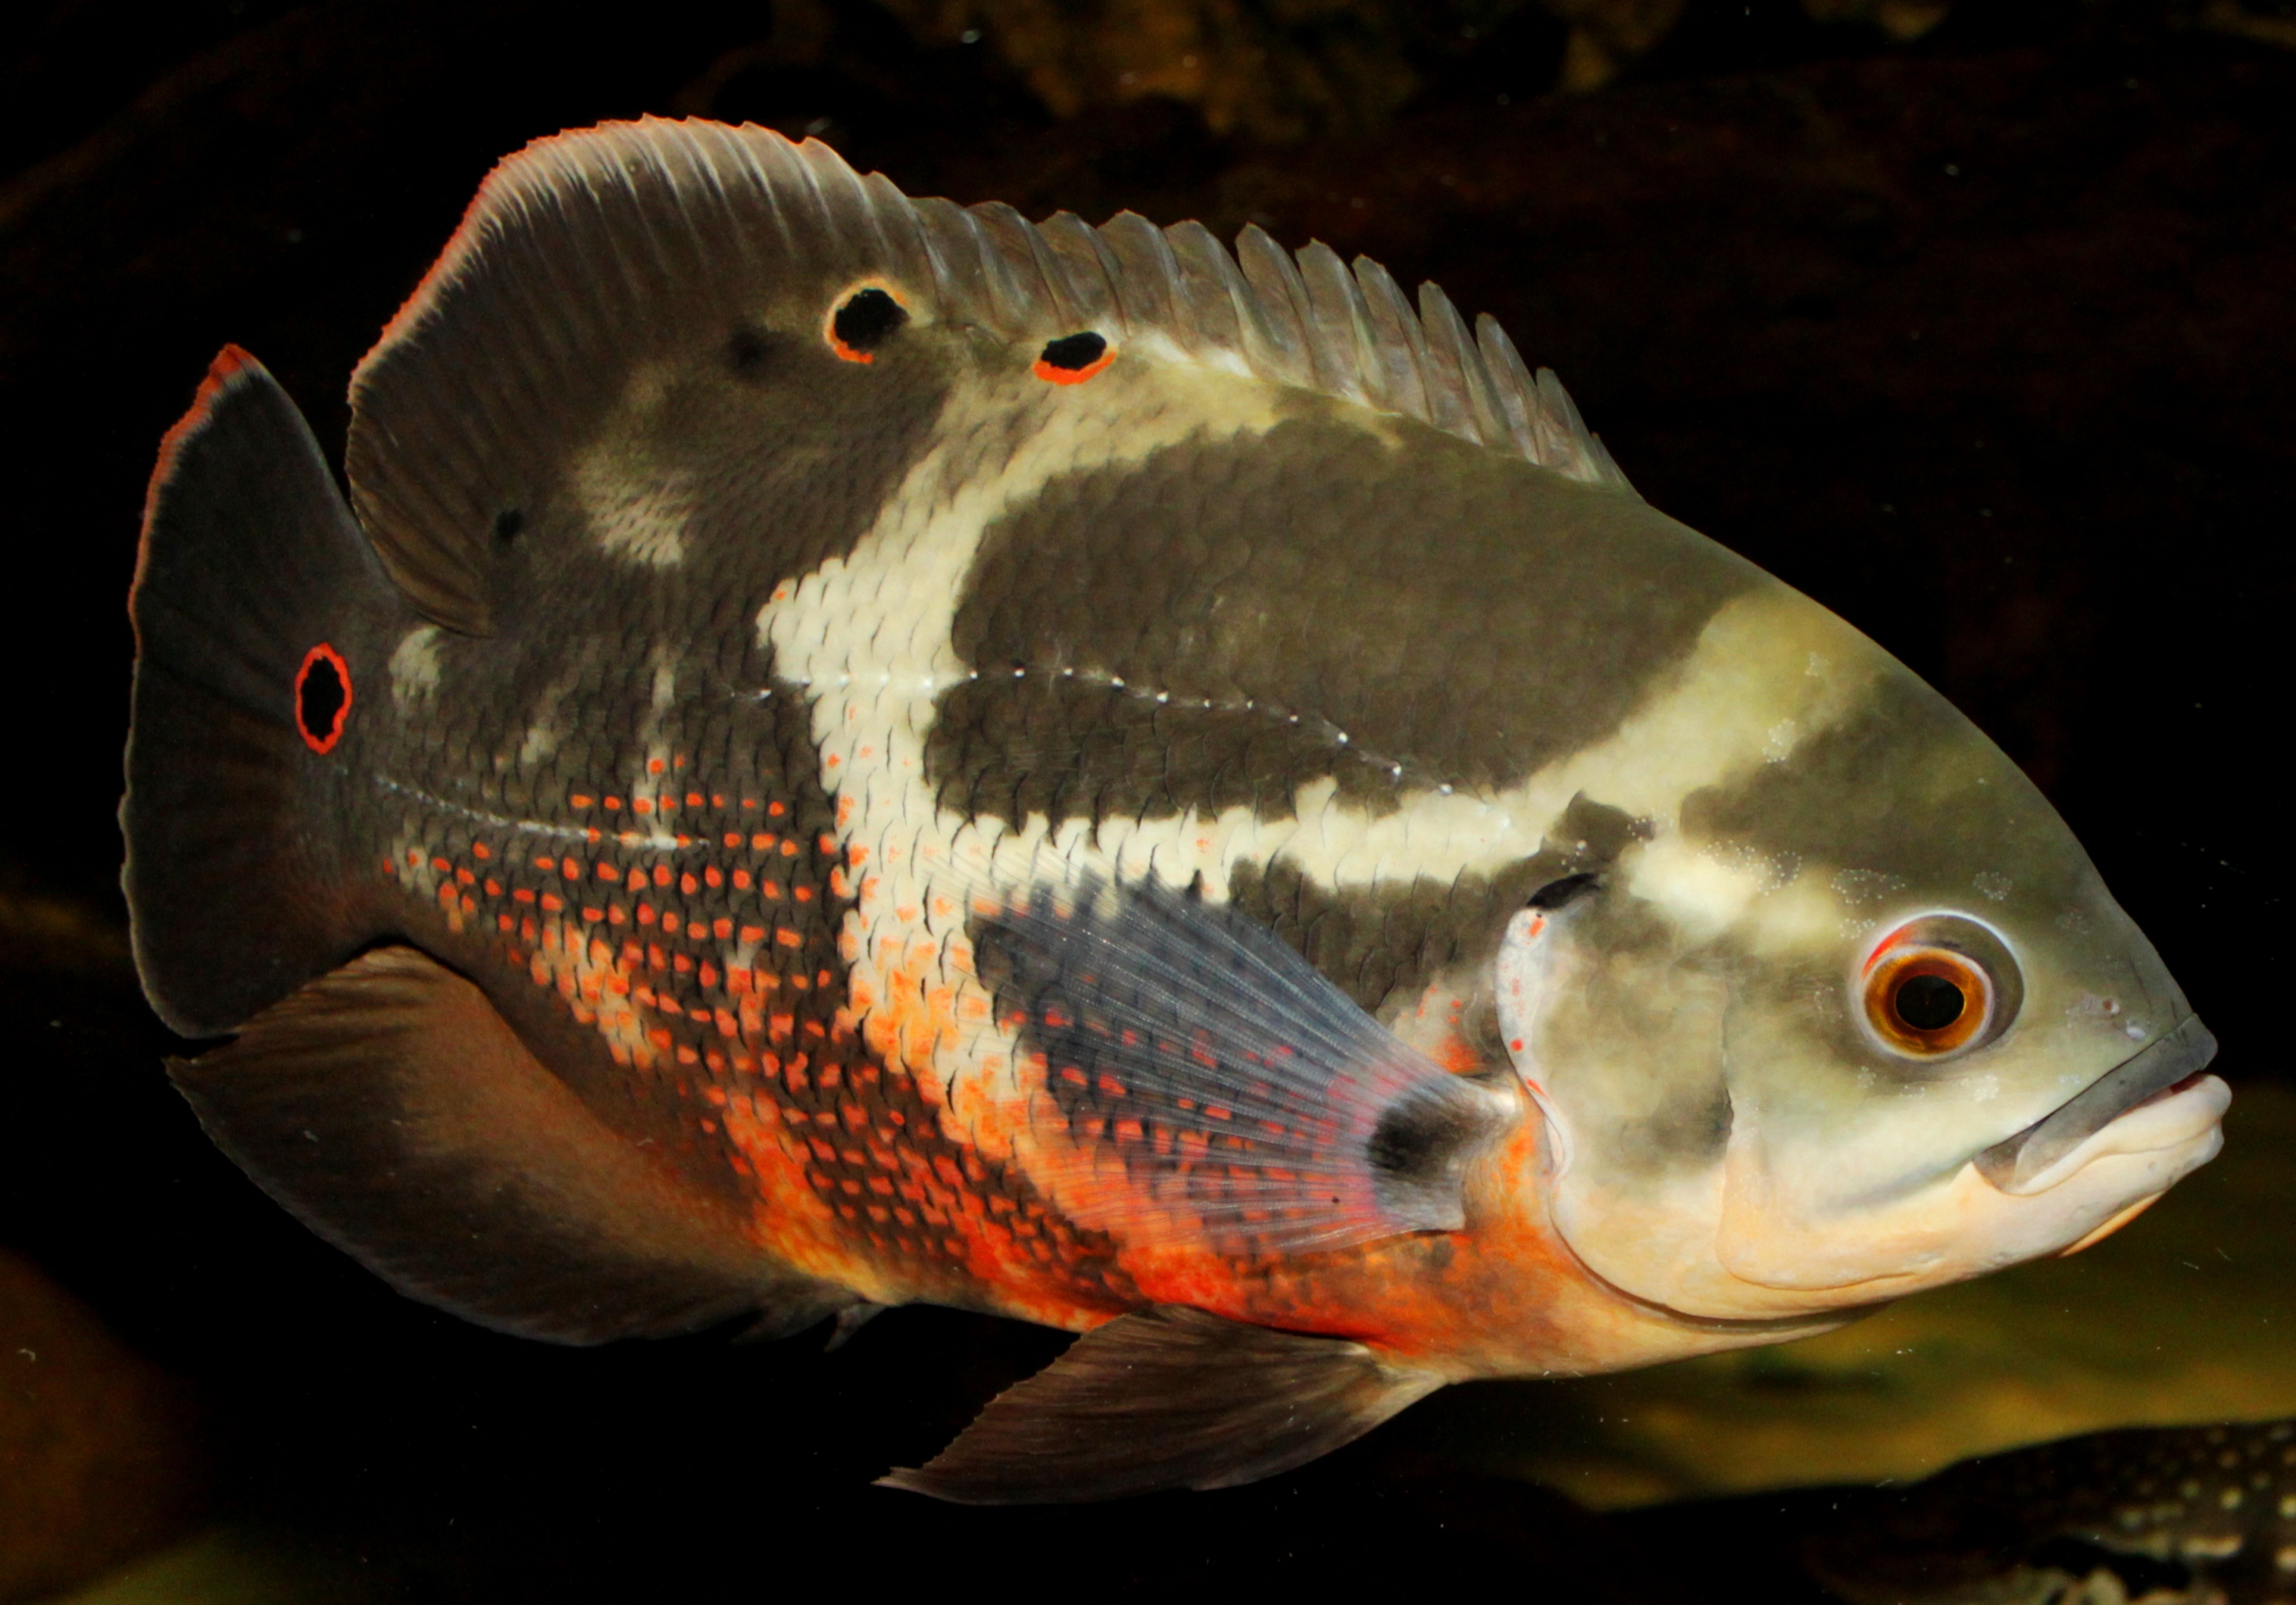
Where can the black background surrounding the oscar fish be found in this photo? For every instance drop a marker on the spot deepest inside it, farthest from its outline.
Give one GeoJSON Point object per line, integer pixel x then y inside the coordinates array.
{"type": "Point", "coordinates": [1983, 339]}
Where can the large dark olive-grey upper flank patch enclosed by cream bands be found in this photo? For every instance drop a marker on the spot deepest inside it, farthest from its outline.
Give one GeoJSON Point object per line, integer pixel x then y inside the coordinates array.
{"type": "Point", "coordinates": [1308, 605]}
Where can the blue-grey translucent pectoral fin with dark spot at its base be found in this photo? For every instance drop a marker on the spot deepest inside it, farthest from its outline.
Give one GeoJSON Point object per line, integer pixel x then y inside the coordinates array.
{"type": "Point", "coordinates": [1243, 1096]}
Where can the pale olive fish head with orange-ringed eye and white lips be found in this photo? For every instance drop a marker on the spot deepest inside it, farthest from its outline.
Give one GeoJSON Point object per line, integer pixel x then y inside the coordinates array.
{"type": "Point", "coordinates": [1847, 1021]}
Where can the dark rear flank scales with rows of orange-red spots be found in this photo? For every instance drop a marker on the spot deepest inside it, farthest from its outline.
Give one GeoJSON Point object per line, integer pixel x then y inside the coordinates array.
{"type": "Point", "coordinates": [695, 933]}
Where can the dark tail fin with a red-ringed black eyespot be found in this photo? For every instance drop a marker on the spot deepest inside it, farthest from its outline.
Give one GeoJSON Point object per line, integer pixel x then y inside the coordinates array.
{"type": "Point", "coordinates": [258, 610]}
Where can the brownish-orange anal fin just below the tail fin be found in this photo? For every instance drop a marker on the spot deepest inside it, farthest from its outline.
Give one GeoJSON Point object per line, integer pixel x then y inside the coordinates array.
{"type": "Point", "coordinates": [401, 1117]}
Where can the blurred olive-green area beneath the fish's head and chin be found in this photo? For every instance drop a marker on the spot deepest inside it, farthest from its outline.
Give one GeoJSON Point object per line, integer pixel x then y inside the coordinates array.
{"type": "Point", "coordinates": [2187, 1315]}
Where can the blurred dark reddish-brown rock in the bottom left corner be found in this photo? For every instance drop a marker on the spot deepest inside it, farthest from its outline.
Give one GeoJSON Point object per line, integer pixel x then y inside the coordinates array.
{"type": "Point", "coordinates": [100, 1452]}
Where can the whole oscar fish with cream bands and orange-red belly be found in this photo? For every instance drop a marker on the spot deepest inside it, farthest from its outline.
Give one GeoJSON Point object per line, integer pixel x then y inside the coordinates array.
{"type": "Point", "coordinates": [848, 752]}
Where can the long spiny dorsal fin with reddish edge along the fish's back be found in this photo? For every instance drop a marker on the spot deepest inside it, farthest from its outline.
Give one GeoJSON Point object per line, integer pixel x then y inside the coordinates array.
{"type": "Point", "coordinates": [630, 238]}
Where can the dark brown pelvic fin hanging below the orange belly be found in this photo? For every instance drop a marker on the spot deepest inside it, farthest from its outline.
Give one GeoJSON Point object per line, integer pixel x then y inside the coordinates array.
{"type": "Point", "coordinates": [1168, 1399]}
